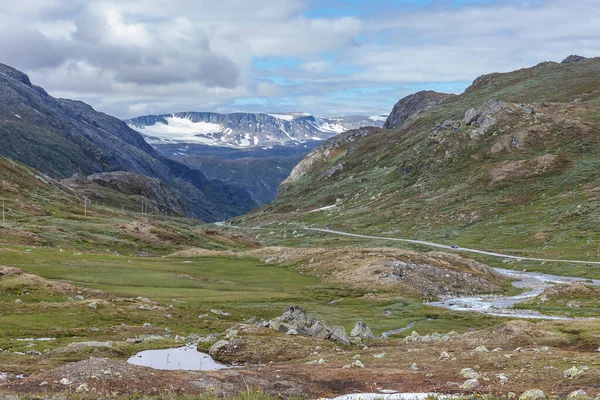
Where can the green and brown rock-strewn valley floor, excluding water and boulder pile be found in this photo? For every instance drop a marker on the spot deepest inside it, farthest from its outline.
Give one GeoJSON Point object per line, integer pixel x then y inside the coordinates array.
{"type": "Point", "coordinates": [117, 305]}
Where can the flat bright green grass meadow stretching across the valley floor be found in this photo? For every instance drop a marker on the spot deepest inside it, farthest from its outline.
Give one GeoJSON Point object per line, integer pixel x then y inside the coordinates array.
{"type": "Point", "coordinates": [244, 288]}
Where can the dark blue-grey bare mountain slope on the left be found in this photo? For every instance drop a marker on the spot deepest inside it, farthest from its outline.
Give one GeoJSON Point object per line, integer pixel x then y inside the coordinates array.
{"type": "Point", "coordinates": [62, 137]}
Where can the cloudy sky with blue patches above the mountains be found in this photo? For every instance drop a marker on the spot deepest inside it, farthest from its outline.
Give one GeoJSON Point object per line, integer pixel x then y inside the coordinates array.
{"type": "Point", "coordinates": [331, 58]}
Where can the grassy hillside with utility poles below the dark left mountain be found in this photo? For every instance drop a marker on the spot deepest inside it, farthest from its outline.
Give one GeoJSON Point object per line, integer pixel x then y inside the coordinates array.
{"type": "Point", "coordinates": [42, 212]}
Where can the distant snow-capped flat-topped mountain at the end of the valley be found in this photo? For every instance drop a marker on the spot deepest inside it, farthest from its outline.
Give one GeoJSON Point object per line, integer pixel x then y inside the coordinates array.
{"type": "Point", "coordinates": [244, 129]}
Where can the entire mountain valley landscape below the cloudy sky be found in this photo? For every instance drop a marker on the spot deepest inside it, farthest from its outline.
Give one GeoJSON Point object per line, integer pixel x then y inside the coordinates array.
{"type": "Point", "coordinates": [452, 253]}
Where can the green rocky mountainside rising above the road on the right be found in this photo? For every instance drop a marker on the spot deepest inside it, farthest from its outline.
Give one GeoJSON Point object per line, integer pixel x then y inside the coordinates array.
{"type": "Point", "coordinates": [512, 163]}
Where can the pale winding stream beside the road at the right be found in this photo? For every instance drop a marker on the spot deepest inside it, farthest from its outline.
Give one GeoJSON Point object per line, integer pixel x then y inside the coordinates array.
{"type": "Point", "coordinates": [503, 305]}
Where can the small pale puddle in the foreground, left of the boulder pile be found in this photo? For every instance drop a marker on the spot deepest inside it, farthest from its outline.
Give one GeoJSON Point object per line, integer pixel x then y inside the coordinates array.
{"type": "Point", "coordinates": [182, 358]}
